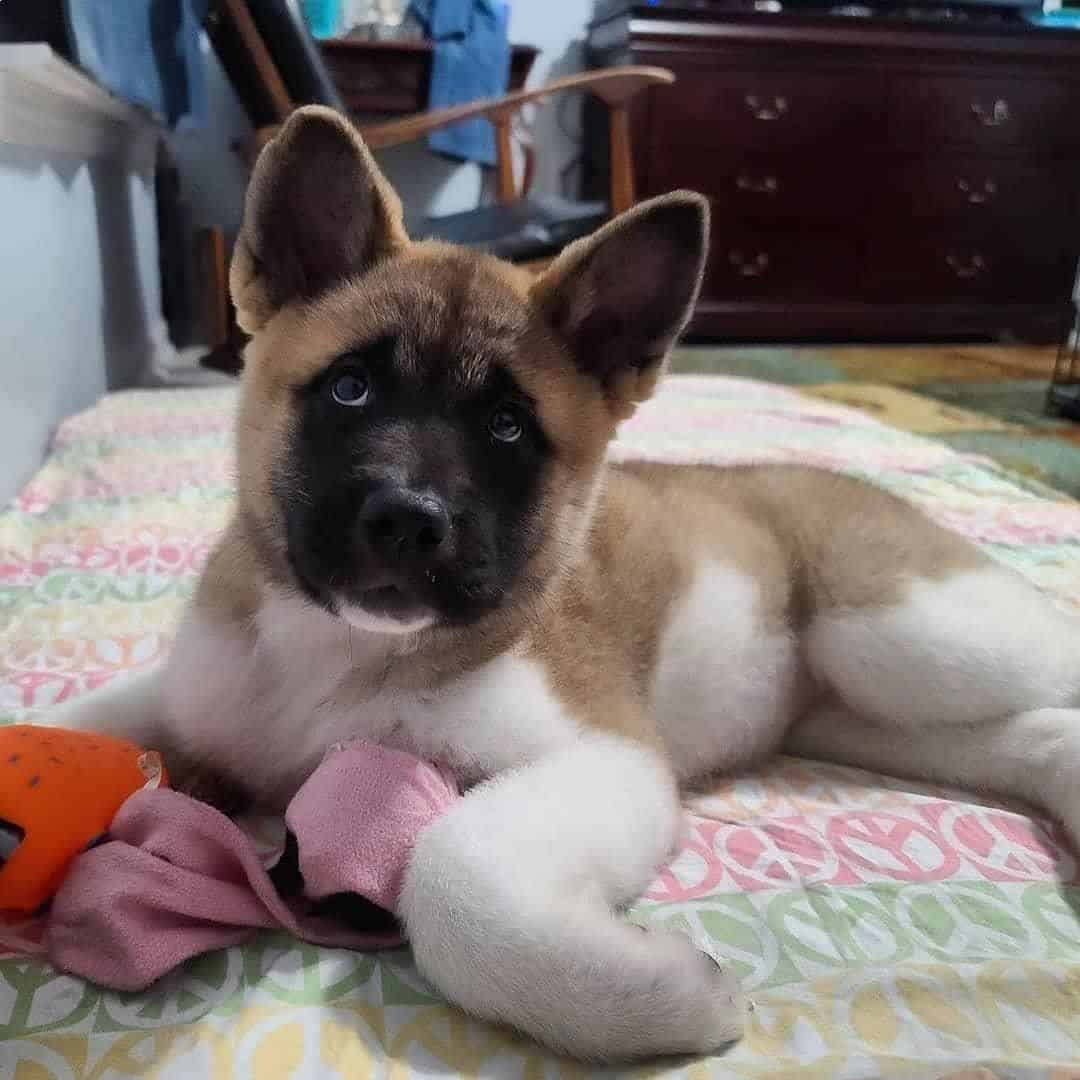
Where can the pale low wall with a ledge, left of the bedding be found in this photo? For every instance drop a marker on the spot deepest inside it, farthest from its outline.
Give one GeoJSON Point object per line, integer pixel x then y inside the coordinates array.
{"type": "Point", "coordinates": [79, 289]}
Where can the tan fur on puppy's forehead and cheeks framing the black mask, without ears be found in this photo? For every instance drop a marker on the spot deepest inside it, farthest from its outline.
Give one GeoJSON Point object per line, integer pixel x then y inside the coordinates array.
{"type": "Point", "coordinates": [471, 306]}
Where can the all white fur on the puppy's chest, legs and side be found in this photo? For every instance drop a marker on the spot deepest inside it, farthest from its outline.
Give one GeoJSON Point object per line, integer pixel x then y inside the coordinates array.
{"type": "Point", "coordinates": [510, 899]}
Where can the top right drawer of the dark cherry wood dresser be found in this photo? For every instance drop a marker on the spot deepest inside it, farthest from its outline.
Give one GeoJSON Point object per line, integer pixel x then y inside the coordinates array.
{"type": "Point", "coordinates": [991, 114]}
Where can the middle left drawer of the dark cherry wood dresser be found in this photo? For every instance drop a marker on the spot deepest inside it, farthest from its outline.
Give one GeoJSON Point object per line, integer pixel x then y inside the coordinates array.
{"type": "Point", "coordinates": [767, 186]}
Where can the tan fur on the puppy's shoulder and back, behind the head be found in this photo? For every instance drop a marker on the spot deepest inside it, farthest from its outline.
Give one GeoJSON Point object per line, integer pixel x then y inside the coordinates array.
{"type": "Point", "coordinates": [811, 541]}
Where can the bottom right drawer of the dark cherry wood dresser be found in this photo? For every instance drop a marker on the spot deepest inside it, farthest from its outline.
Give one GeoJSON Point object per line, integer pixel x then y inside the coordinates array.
{"type": "Point", "coordinates": [937, 262]}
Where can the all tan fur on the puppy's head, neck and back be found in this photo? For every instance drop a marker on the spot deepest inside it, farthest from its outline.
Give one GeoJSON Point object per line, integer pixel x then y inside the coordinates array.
{"type": "Point", "coordinates": [625, 544]}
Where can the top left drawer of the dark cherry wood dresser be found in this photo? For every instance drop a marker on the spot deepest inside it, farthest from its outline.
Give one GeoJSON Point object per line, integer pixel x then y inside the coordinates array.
{"type": "Point", "coordinates": [764, 110]}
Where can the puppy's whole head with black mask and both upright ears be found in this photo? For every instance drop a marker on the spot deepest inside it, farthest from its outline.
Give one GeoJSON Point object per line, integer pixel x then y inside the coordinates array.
{"type": "Point", "coordinates": [423, 427]}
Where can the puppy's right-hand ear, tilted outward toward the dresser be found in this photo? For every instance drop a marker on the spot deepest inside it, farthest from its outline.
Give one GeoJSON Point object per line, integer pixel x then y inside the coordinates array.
{"type": "Point", "coordinates": [622, 298]}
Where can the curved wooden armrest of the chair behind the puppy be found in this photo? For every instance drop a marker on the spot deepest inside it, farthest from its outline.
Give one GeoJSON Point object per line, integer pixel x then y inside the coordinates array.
{"type": "Point", "coordinates": [615, 87]}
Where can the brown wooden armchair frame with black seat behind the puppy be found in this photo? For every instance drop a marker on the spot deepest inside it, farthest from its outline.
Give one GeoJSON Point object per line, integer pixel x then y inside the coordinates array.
{"type": "Point", "coordinates": [519, 226]}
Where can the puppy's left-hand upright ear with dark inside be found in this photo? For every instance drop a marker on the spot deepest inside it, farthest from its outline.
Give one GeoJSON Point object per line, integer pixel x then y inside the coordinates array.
{"type": "Point", "coordinates": [318, 211]}
